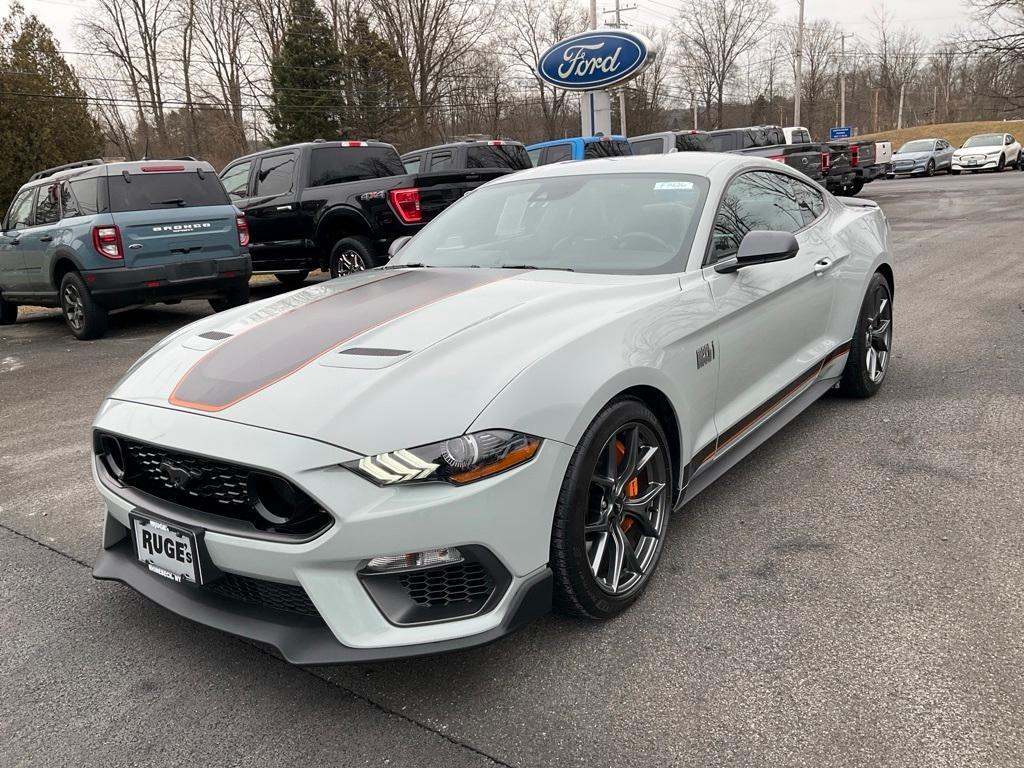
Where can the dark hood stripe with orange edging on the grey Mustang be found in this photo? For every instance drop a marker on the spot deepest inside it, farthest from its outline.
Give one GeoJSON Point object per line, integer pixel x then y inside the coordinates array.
{"type": "Point", "coordinates": [278, 348]}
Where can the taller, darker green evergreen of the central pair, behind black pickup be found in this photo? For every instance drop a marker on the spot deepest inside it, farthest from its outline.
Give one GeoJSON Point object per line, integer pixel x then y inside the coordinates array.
{"type": "Point", "coordinates": [306, 78]}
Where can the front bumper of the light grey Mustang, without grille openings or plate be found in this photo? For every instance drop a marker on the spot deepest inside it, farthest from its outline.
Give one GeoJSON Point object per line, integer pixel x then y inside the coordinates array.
{"type": "Point", "coordinates": [509, 517]}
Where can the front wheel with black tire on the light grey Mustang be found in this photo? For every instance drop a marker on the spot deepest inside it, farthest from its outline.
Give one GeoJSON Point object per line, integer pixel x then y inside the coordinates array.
{"type": "Point", "coordinates": [577, 587]}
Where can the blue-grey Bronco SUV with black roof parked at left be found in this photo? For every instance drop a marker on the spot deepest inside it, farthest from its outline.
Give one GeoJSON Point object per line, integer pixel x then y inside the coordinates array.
{"type": "Point", "coordinates": [93, 237]}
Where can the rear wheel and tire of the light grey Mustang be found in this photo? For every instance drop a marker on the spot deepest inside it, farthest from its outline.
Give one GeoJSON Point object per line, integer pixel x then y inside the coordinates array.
{"type": "Point", "coordinates": [875, 329]}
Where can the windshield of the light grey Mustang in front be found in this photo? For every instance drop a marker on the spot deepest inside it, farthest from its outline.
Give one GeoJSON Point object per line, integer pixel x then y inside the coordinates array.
{"type": "Point", "coordinates": [610, 224]}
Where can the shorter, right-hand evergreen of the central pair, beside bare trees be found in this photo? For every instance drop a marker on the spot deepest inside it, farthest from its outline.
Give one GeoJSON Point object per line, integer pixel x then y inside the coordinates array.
{"type": "Point", "coordinates": [378, 95]}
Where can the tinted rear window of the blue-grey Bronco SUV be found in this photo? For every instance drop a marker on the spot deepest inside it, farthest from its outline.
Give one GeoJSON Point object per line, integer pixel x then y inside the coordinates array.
{"type": "Point", "coordinates": [149, 192]}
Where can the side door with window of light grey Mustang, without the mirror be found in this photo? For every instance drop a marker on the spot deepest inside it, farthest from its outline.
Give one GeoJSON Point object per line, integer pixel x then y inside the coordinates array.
{"type": "Point", "coordinates": [773, 320]}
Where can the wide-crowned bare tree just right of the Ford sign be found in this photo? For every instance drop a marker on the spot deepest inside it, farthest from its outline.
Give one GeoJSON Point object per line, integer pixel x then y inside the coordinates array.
{"type": "Point", "coordinates": [714, 34]}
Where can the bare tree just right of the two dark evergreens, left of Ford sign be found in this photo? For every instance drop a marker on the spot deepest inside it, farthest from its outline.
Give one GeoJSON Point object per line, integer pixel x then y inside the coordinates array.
{"type": "Point", "coordinates": [433, 38]}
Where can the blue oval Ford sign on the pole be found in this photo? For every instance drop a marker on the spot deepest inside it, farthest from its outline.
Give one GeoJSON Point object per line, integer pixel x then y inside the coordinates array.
{"type": "Point", "coordinates": [595, 60]}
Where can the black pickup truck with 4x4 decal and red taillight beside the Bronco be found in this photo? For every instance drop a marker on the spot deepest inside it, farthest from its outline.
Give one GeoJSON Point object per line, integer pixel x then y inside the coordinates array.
{"type": "Point", "coordinates": [336, 205]}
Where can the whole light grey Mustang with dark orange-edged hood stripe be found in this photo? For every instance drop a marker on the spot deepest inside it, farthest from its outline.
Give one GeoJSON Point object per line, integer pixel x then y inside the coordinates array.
{"type": "Point", "coordinates": [424, 457]}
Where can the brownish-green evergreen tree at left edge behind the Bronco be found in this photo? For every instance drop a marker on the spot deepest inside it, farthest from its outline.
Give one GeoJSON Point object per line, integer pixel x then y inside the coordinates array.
{"type": "Point", "coordinates": [45, 117]}
